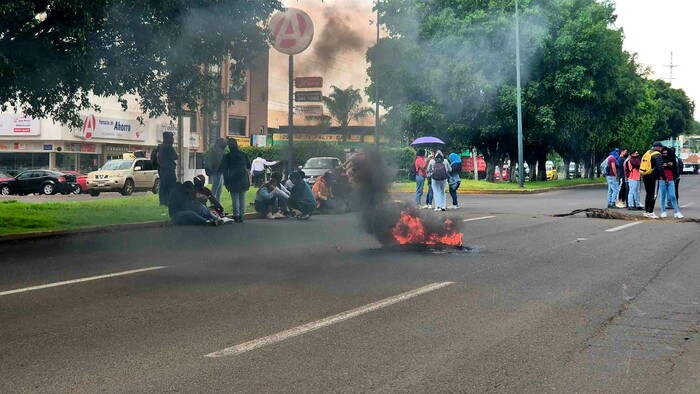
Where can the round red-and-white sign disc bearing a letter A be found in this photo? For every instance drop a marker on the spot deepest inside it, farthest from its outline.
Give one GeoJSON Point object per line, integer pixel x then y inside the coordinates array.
{"type": "Point", "coordinates": [292, 31]}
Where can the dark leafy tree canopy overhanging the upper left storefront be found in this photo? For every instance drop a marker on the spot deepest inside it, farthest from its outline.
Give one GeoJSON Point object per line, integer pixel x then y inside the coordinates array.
{"type": "Point", "coordinates": [55, 54]}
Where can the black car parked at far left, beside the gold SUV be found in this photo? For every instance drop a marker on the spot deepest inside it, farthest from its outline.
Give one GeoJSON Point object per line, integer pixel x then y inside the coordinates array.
{"type": "Point", "coordinates": [39, 182]}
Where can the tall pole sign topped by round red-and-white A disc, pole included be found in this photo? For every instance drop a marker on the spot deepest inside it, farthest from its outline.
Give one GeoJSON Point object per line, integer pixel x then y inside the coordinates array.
{"type": "Point", "coordinates": [292, 33]}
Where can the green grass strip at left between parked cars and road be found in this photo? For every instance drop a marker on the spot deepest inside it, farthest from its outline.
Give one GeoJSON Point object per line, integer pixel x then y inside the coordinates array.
{"type": "Point", "coordinates": [21, 217]}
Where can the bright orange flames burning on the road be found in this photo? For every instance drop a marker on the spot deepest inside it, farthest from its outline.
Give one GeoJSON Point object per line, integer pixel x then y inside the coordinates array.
{"type": "Point", "coordinates": [410, 230]}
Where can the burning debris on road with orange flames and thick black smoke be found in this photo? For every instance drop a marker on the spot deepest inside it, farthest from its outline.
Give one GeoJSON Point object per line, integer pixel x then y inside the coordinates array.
{"type": "Point", "coordinates": [393, 224]}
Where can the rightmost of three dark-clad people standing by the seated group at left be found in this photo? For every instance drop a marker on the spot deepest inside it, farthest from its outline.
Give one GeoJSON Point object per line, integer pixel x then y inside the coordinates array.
{"type": "Point", "coordinates": [235, 167]}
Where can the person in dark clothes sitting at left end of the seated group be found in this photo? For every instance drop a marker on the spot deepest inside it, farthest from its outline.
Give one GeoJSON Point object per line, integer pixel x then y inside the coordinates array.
{"type": "Point", "coordinates": [184, 209]}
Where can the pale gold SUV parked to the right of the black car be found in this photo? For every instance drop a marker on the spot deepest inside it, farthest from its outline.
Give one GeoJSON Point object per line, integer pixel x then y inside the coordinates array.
{"type": "Point", "coordinates": [124, 176]}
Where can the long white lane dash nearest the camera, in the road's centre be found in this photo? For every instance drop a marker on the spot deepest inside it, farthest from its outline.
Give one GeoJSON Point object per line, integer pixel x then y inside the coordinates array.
{"type": "Point", "coordinates": [303, 329]}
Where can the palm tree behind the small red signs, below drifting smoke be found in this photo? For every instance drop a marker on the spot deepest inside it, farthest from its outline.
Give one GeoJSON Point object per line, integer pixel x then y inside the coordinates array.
{"type": "Point", "coordinates": [344, 106]}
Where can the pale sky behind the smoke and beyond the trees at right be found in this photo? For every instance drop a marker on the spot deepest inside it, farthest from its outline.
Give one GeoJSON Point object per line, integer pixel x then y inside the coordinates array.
{"type": "Point", "coordinates": [653, 29]}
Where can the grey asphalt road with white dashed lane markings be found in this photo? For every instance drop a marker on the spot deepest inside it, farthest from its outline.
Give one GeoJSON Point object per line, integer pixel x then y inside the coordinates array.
{"type": "Point", "coordinates": [545, 304]}
